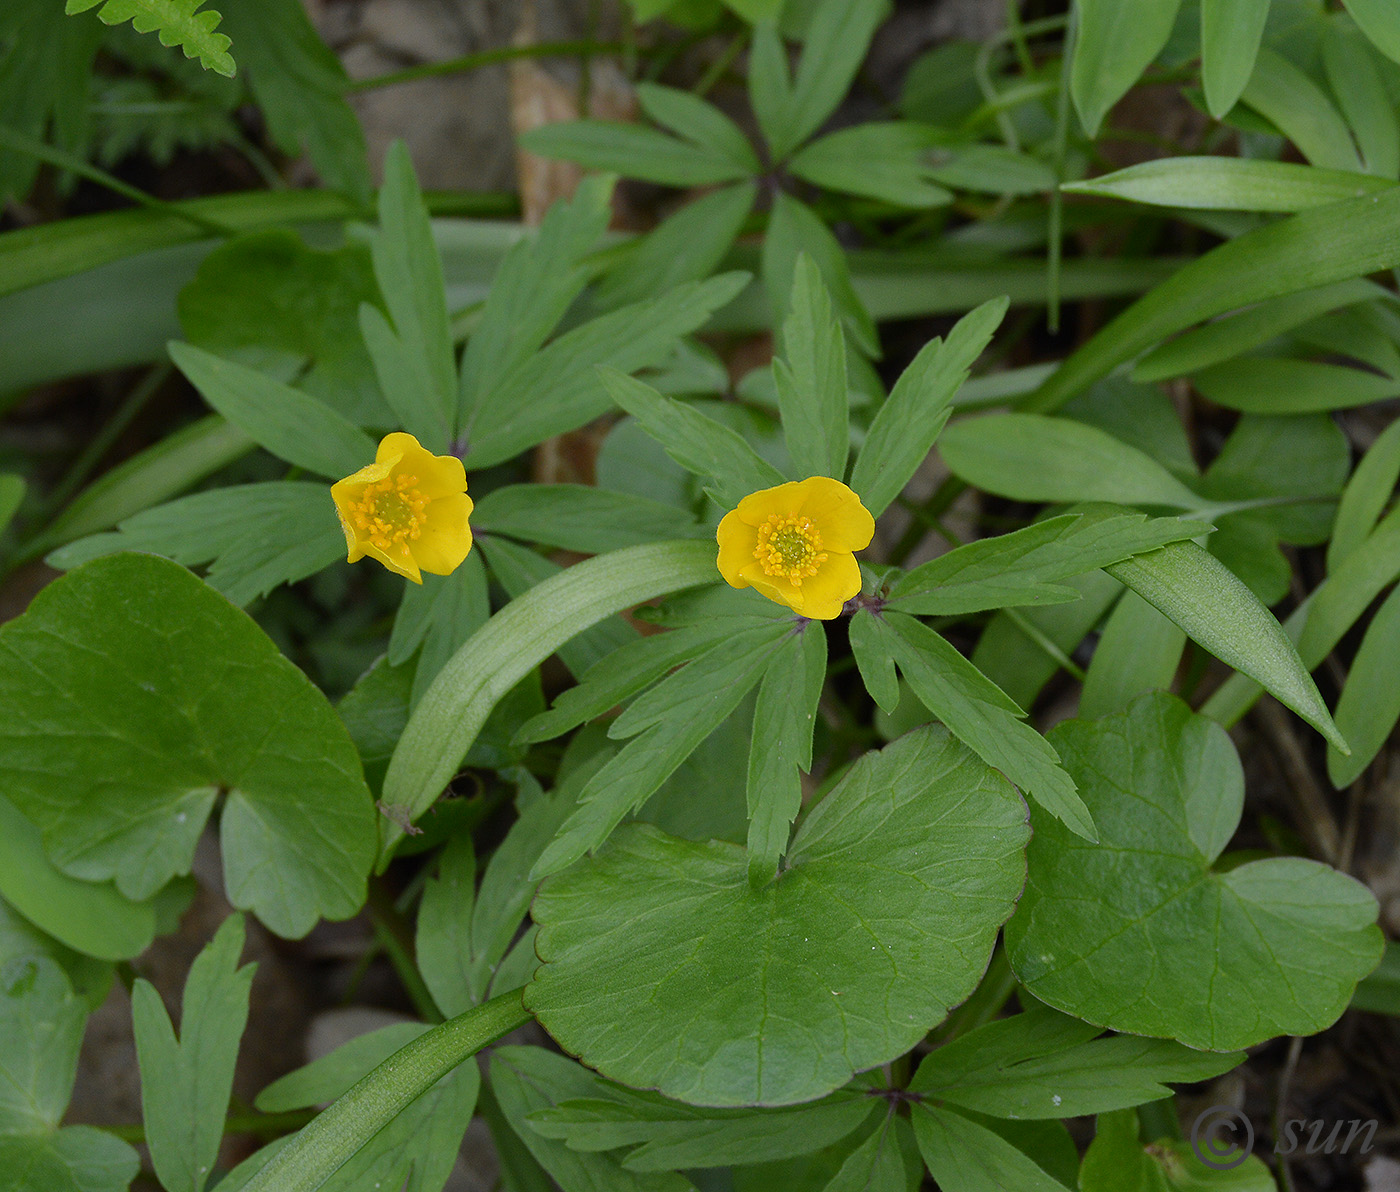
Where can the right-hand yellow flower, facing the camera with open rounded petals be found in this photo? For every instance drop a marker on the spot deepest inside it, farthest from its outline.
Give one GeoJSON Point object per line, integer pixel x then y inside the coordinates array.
{"type": "Point", "coordinates": [794, 546]}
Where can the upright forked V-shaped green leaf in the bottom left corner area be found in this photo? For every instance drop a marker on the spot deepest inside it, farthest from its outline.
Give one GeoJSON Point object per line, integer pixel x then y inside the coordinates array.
{"type": "Point", "coordinates": [187, 1082]}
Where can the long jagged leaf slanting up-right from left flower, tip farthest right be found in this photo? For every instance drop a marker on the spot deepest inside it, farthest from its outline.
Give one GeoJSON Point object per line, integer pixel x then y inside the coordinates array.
{"type": "Point", "coordinates": [559, 389]}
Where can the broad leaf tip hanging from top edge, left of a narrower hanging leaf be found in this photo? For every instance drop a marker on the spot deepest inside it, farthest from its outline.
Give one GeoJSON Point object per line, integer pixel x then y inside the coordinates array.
{"type": "Point", "coordinates": [1114, 47]}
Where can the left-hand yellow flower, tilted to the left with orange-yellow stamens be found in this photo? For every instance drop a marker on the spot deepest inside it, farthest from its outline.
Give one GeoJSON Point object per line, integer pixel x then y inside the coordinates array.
{"type": "Point", "coordinates": [408, 509]}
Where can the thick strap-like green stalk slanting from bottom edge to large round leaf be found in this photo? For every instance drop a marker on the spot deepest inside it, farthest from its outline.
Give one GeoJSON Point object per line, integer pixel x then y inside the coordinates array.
{"type": "Point", "coordinates": [332, 1139]}
